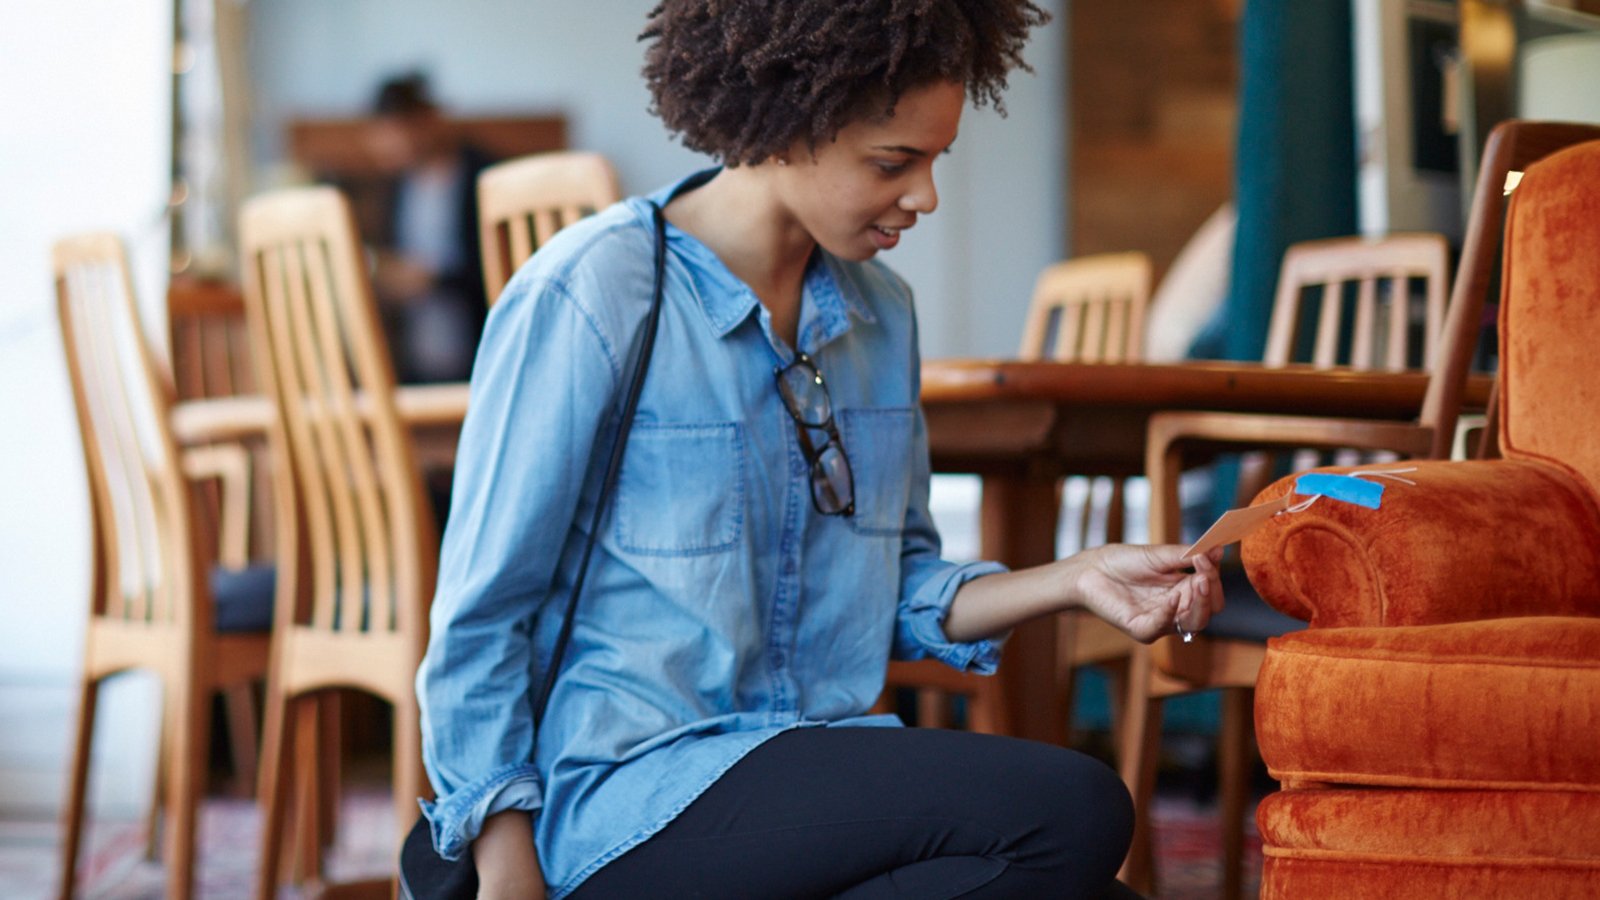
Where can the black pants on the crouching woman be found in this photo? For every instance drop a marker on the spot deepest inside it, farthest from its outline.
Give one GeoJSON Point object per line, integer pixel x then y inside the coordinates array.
{"type": "Point", "coordinates": [870, 814]}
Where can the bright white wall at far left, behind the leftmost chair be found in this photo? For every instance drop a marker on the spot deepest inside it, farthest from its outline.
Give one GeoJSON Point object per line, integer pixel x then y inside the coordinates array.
{"type": "Point", "coordinates": [82, 147]}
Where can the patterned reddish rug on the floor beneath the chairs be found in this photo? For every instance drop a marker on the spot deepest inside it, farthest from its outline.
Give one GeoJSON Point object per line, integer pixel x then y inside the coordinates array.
{"type": "Point", "coordinates": [114, 867]}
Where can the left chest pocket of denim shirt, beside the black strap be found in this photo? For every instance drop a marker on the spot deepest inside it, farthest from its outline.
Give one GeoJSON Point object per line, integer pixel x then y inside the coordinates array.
{"type": "Point", "coordinates": [682, 489]}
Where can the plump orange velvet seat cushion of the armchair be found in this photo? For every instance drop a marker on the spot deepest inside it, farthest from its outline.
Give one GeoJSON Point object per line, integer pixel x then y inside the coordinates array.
{"type": "Point", "coordinates": [1506, 704]}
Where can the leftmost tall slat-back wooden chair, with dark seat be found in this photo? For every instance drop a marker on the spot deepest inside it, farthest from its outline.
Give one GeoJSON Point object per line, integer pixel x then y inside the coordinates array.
{"type": "Point", "coordinates": [158, 605]}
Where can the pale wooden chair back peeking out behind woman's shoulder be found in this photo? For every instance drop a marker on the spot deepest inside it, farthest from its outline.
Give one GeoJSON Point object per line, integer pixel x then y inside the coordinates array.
{"type": "Point", "coordinates": [526, 201]}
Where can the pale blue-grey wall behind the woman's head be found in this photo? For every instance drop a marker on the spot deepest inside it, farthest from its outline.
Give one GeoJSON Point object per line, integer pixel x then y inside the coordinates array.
{"type": "Point", "coordinates": [974, 265]}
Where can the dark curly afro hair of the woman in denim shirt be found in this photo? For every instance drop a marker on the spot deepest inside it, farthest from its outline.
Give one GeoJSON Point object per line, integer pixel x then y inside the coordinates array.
{"type": "Point", "coordinates": [745, 79]}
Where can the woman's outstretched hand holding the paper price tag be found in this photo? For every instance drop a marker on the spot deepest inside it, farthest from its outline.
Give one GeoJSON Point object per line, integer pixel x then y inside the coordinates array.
{"type": "Point", "coordinates": [1146, 590]}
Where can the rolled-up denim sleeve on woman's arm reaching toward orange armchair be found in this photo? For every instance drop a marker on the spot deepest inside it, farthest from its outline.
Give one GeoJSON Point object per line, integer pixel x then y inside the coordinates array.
{"type": "Point", "coordinates": [929, 584]}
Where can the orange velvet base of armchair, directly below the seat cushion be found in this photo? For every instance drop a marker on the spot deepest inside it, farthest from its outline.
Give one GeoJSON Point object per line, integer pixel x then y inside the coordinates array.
{"type": "Point", "coordinates": [1364, 843]}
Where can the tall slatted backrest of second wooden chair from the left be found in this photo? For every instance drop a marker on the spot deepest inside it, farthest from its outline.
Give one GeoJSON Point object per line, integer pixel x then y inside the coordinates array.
{"type": "Point", "coordinates": [356, 480]}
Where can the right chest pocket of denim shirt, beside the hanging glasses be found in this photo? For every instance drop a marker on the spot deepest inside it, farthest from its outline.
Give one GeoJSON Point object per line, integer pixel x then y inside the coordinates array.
{"type": "Point", "coordinates": [879, 446]}
